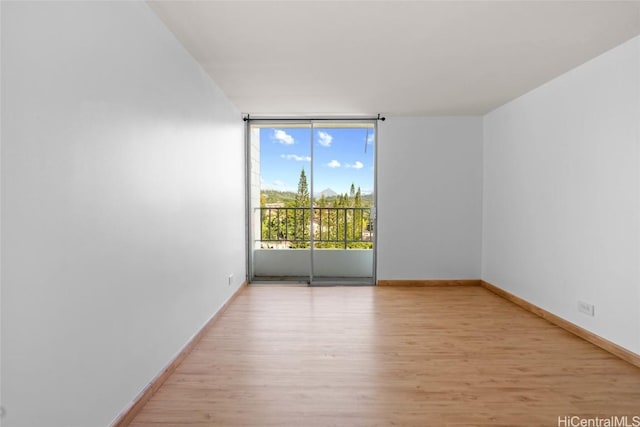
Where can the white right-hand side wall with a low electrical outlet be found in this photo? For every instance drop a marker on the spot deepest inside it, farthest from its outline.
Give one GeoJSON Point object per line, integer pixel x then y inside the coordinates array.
{"type": "Point", "coordinates": [562, 194]}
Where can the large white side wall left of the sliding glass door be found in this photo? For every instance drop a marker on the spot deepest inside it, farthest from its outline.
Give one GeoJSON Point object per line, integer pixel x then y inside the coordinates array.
{"type": "Point", "coordinates": [122, 206]}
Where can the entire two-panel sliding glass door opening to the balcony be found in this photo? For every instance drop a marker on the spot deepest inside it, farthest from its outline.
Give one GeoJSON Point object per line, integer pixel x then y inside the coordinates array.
{"type": "Point", "coordinates": [312, 202]}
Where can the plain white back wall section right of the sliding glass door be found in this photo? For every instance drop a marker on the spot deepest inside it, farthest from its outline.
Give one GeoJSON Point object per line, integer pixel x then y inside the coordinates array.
{"type": "Point", "coordinates": [430, 198]}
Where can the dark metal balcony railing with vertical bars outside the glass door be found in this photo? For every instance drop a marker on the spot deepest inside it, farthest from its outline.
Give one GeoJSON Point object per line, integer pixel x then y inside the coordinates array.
{"type": "Point", "coordinates": [341, 228]}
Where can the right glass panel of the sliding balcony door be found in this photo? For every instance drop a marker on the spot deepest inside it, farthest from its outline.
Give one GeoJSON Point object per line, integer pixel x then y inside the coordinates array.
{"type": "Point", "coordinates": [343, 164]}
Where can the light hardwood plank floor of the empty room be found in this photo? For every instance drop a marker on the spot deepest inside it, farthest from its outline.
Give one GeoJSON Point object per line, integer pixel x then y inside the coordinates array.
{"type": "Point", "coordinates": [380, 356]}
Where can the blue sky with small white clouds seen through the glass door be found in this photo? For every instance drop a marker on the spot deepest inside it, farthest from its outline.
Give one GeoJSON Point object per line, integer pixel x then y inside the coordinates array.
{"type": "Point", "coordinates": [339, 158]}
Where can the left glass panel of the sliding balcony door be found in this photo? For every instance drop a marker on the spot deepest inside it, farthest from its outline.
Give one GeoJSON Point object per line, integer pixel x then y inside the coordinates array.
{"type": "Point", "coordinates": [280, 203]}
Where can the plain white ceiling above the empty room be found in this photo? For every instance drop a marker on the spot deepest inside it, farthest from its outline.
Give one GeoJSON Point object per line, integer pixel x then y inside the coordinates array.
{"type": "Point", "coordinates": [393, 57]}
